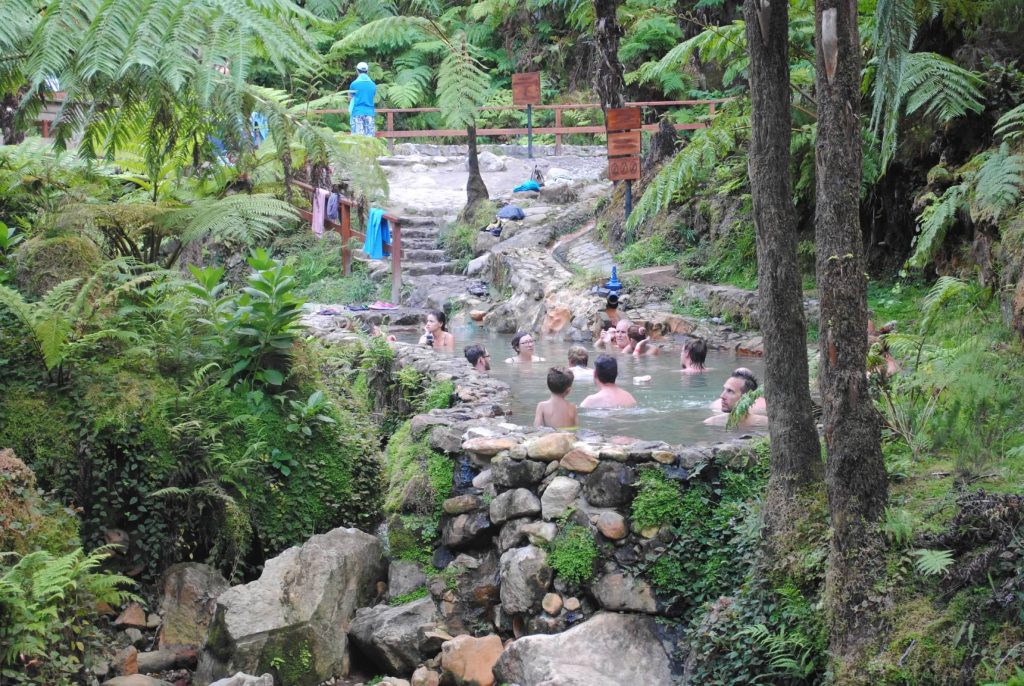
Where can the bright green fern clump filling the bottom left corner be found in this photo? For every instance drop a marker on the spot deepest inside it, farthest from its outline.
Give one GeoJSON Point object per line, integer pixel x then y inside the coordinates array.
{"type": "Point", "coordinates": [50, 605]}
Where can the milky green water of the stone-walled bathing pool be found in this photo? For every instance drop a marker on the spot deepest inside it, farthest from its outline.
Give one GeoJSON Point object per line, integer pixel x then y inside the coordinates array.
{"type": "Point", "coordinates": [671, 408]}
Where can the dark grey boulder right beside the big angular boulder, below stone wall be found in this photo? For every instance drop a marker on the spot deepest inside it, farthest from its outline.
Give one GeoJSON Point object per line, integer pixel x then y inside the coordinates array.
{"type": "Point", "coordinates": [398, 639]}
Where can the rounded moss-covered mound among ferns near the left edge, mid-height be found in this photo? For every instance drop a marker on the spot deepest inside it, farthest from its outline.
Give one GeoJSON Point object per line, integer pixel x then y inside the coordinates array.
{"type": "Point", "coordinates": [42, 264]}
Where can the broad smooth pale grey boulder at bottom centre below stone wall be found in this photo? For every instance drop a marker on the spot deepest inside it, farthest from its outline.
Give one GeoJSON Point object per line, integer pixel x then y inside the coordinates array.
{"type": "Point", "coordinates": [607, 651]}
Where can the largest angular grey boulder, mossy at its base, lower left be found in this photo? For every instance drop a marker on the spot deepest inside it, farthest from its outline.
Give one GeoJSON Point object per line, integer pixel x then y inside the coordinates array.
{"type": "Point", "coordinates": [297, 614]}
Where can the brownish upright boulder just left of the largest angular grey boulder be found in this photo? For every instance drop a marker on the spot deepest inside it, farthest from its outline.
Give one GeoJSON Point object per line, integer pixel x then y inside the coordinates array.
{"type": "Point", "coordinates": [191, 592]}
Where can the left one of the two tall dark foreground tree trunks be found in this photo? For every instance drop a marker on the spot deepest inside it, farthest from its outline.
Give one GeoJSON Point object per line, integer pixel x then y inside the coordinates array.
{"type": "Point", "coordinates": [796, 456]}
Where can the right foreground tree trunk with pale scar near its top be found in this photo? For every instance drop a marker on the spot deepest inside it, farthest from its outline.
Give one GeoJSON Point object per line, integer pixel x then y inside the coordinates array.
{"type": "Point", "coordinates": [856, 477]}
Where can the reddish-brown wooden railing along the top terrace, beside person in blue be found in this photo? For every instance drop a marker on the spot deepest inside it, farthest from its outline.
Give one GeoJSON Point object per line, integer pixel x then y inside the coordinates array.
{"type": "Point", "coordinates": [559, 131]}
